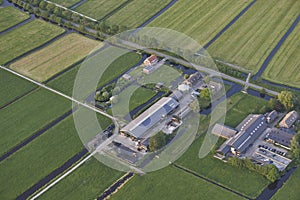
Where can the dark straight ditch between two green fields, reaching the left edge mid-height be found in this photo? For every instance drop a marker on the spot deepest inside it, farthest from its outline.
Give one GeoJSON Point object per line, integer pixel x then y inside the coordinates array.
{"type": "Point", "coordinates": [35, 135]}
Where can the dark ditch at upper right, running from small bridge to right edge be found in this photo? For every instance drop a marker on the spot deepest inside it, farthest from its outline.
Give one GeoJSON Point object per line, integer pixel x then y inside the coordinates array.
{"type": "Point", "coordinates": [276, 48]}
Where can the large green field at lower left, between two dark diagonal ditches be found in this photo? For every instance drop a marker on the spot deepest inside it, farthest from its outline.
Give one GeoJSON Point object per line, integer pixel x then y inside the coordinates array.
{"type": "Point", "coordinates": [39, 158]}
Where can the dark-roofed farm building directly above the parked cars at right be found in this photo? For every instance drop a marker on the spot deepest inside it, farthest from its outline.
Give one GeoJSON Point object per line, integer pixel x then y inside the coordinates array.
{"type": "Point", "coordinates": [279, 137]}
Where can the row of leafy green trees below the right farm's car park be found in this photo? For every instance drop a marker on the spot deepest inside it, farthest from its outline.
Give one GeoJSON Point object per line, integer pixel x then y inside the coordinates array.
{"type": "Point", "coordinates": [269, 171]}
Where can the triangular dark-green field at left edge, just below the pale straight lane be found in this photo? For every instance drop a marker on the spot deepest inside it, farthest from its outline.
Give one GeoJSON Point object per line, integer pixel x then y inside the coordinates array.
{"type": "Point", "coordinates": [12, 87]}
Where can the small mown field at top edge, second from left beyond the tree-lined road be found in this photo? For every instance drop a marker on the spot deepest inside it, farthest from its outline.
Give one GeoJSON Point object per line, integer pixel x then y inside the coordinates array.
{"type": "Point", "coordinates": [97, 9]}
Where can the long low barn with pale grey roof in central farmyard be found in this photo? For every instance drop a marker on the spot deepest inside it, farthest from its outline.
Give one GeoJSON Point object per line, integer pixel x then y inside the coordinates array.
{"type": "Point", "coordinates": [139, 126]}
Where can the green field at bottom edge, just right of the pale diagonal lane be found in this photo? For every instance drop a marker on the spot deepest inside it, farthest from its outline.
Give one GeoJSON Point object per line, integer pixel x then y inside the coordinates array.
{"type": "Point", "coordinates": [87, 182]}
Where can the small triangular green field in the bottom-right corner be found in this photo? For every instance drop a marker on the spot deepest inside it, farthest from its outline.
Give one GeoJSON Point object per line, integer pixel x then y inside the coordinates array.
{"type": "Point", "coordinates": [291, 189]}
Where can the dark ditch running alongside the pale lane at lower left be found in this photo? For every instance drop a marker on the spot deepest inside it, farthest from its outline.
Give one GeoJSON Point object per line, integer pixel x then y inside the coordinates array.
{"type": "Point", "coordinates": [52, 175]}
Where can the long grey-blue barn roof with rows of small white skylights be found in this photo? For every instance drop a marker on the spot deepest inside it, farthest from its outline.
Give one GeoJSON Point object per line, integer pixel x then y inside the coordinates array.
{"type": "Point", "coordinates": [251, 128]}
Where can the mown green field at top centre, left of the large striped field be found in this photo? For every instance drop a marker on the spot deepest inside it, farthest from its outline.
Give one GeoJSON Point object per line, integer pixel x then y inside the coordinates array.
{"type": "Point", "coordinates": [137, 12]}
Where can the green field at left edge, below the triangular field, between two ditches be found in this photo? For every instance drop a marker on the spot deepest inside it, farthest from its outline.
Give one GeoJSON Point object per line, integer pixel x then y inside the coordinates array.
{"type": "Point", "coordinates": [28, 115]}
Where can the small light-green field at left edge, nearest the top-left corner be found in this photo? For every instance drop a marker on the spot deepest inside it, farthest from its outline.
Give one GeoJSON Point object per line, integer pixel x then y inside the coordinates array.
{"type": "Point", "coordinates": [10, 17]}
